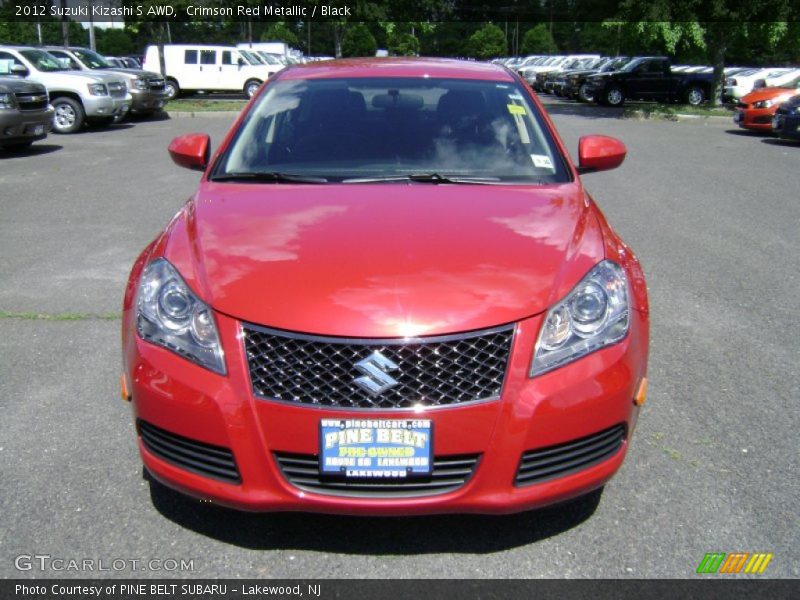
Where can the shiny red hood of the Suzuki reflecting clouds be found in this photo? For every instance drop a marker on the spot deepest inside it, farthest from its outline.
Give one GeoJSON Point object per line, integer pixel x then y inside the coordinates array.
{"type": "Point", "coordinates": [388, 260]}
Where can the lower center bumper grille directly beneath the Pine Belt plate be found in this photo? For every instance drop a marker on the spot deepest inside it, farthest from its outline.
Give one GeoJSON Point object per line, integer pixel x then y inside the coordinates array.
{"type": "Point", "coordinates": [449, 473]}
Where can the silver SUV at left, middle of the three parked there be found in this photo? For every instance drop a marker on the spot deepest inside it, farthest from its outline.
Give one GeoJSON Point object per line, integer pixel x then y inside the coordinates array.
{"type": "Point", "coordinates": [76, 96]}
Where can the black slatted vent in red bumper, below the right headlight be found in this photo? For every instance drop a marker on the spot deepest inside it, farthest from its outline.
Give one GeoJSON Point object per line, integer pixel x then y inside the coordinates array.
{"type": "Point", "coordinates": [556, 461]}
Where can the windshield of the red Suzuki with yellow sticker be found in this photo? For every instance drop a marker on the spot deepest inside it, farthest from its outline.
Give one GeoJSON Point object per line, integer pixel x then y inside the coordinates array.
{"type": "Point", "coordinates": [382, 128]}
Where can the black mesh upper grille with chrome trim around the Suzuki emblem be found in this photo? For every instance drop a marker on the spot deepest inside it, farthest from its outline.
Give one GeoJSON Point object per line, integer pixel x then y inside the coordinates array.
{"type": "Point", "coordinates": [431, 371]}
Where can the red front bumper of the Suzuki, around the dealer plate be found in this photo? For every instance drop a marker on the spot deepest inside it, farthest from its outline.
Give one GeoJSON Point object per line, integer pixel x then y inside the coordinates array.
{"type": "Point", "coordinates": [562, 411]}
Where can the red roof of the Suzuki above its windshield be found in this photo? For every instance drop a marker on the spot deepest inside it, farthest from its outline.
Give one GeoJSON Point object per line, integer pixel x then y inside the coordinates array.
{"type": "Point", "coordinates": [397, 67]}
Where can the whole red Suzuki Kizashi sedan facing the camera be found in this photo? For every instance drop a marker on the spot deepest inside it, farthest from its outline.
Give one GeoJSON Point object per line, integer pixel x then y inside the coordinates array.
{"type": "Point", "coordinates": [390, 294]}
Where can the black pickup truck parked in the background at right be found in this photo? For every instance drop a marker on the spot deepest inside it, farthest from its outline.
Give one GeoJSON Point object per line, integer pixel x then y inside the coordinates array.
{"type": "Point", "coordinates": [649, 78]}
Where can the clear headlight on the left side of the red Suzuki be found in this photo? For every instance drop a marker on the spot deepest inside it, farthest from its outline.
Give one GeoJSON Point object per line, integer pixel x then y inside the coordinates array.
{"type": "Point", "coordinates": [169, 314]}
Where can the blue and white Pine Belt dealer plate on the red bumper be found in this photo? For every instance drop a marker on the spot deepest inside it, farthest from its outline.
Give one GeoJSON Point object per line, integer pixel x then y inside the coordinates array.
{"type": "Point", "coordinates": [377, 449]}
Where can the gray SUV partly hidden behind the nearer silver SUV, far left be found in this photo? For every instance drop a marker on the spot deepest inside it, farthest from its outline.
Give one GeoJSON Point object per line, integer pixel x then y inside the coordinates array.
{"type": "Point", "coordinates": [146, 87]}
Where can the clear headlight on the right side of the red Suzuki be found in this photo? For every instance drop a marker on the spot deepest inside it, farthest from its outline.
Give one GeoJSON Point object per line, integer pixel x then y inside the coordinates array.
{"type": "Point", "coordinates": [593, 315]}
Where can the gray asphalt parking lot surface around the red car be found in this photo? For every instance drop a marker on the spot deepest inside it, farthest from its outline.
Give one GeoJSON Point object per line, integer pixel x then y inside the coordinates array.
{"type": "Point", "coordinates": [711, 212]}
